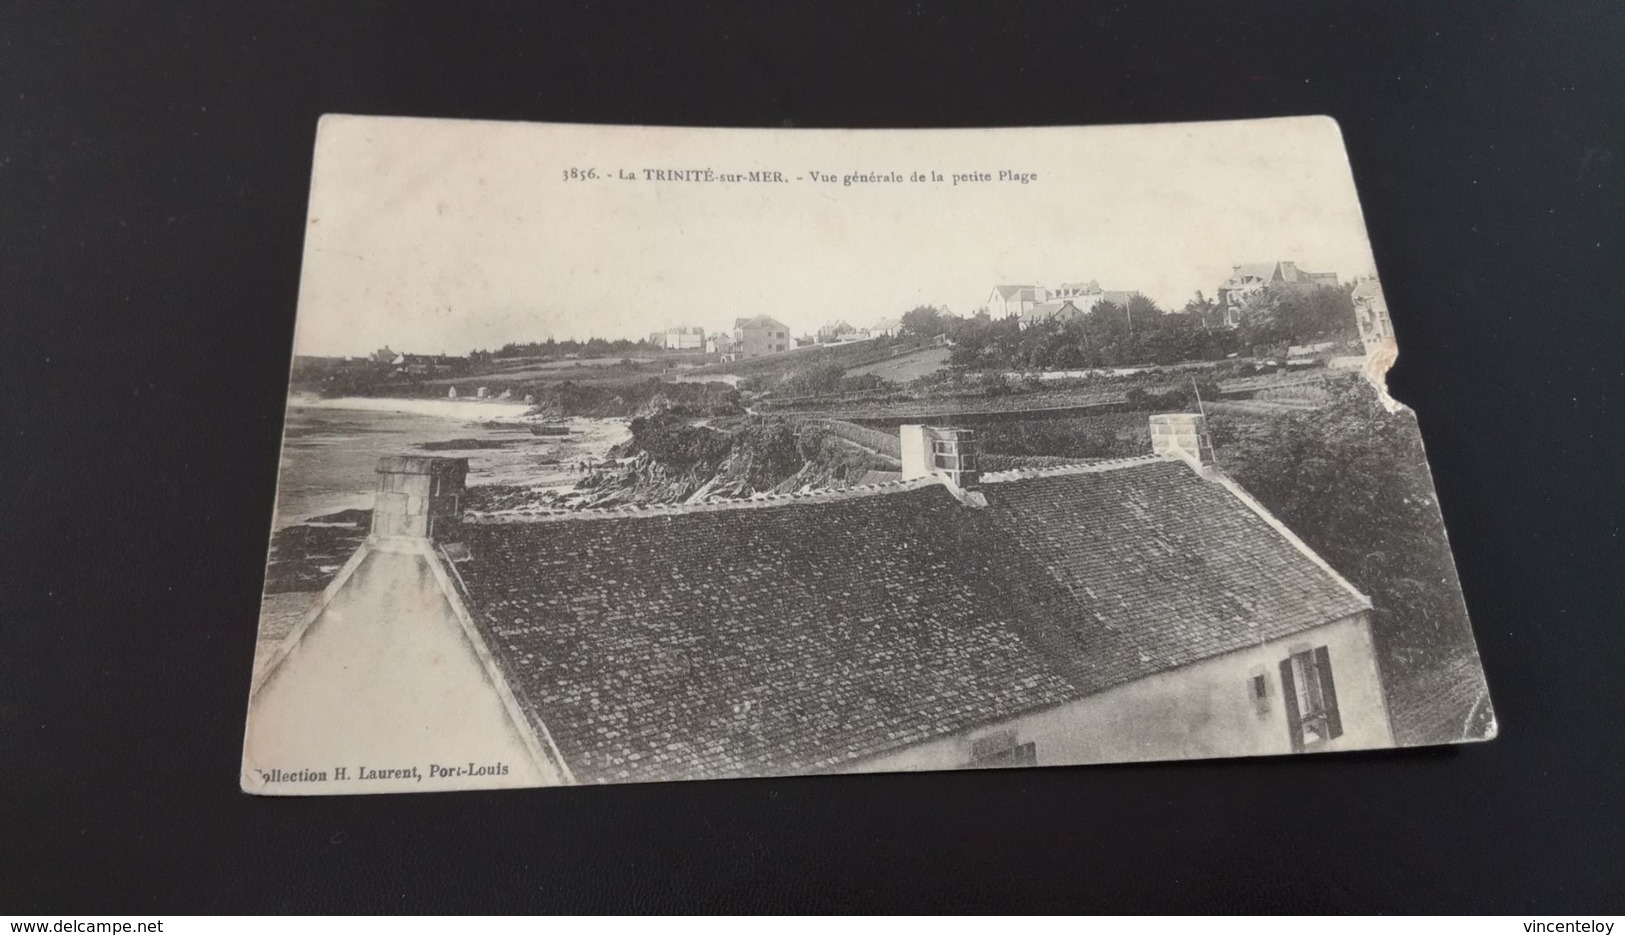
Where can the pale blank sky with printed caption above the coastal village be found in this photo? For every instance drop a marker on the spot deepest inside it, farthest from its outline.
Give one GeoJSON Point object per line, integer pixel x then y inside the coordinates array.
{"type": "Point", "coordinates": [446, 237]}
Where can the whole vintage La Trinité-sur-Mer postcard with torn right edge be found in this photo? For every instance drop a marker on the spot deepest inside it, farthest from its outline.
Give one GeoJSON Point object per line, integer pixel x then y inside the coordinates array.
{"type": "Point", "coordinates": [626, 454]}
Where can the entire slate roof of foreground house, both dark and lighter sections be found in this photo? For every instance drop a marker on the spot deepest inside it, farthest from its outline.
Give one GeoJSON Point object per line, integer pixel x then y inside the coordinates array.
{"type": "Point", "coordinates": [813, 633]}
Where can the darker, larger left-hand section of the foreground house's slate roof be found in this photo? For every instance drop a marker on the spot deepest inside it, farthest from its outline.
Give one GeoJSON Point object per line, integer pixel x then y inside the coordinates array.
{"type": "Point", "coordinates": [761, 640]}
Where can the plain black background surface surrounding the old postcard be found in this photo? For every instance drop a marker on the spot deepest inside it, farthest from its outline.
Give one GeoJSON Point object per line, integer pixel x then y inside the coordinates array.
{"type": "Point", "coordinates": [154, 178]}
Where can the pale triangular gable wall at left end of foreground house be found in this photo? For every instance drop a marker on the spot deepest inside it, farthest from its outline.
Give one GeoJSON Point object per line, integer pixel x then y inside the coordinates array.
{"type": "Point", "coordinates": [384, 677]}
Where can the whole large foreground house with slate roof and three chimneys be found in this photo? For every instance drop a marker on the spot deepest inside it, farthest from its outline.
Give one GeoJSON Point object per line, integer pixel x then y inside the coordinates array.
{"type": "Point", "coordinates": [1119, 611]}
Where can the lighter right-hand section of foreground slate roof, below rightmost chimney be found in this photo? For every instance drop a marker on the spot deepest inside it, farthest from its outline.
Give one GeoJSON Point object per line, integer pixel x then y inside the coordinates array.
{"type": "Point", "coordinates": [1163, 570]}
